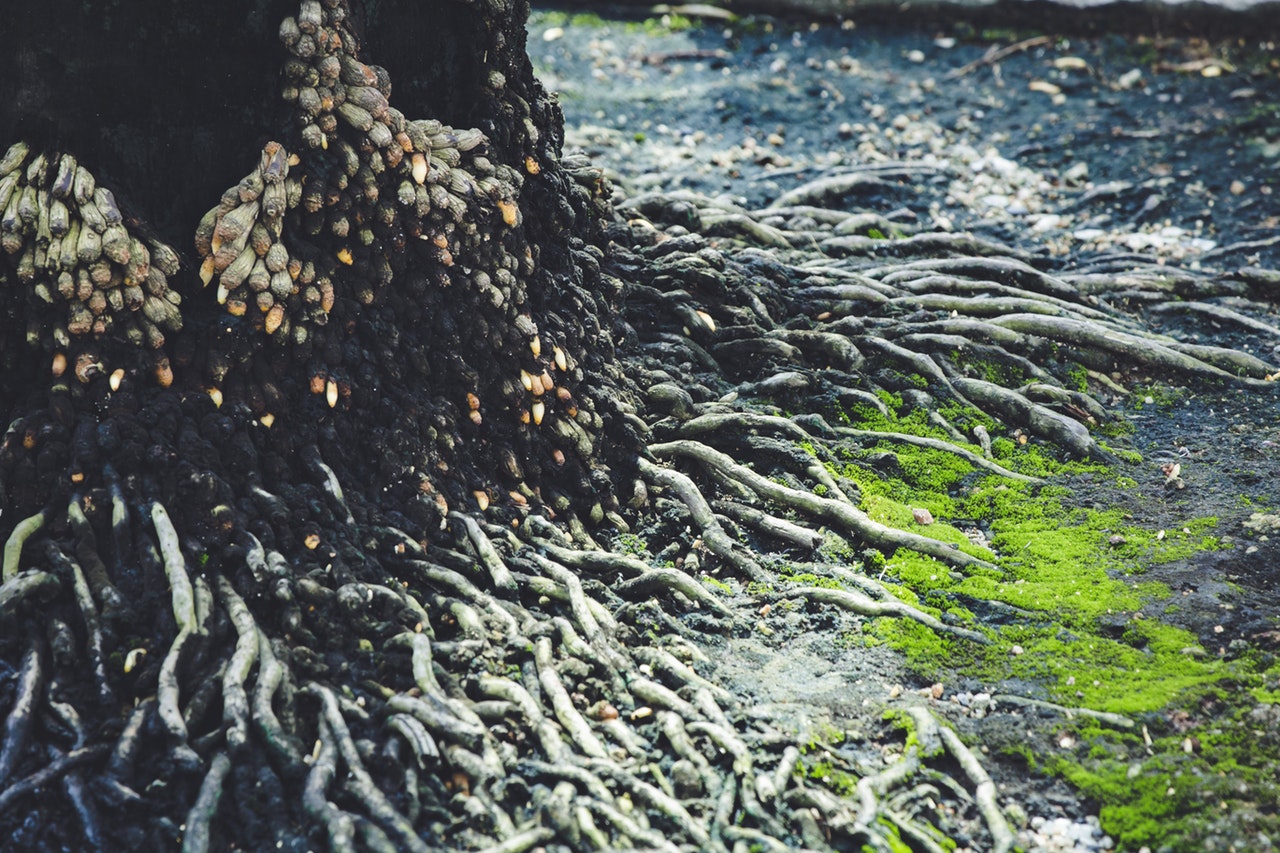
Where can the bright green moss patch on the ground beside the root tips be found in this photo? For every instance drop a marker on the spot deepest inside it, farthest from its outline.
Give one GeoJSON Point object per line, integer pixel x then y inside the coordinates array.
{"type": "Point", "coordinates": [1077, 621]}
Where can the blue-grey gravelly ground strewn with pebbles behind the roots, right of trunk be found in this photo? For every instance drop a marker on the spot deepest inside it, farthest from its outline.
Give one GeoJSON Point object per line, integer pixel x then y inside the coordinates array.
{"type": "Point", "coordinates": [1133, 136]}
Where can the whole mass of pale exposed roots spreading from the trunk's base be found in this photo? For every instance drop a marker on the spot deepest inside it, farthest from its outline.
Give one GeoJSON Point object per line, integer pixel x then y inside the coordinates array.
{"type": "Point", "coordinates": [296, 660]}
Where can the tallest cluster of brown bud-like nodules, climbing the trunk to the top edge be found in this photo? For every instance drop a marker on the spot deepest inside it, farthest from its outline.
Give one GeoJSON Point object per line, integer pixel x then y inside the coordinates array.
{"type": "Point", "coordinates": [388, 179]}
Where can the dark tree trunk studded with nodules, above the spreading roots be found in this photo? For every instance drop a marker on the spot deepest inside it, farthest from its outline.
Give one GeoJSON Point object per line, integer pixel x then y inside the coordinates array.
{"type": "Point", "coordinates": [420, 297]}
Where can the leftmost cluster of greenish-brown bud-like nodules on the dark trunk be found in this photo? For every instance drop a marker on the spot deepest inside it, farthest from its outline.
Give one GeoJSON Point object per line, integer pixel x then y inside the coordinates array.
{"type": "Point", "coordinates": [75, 253]}
